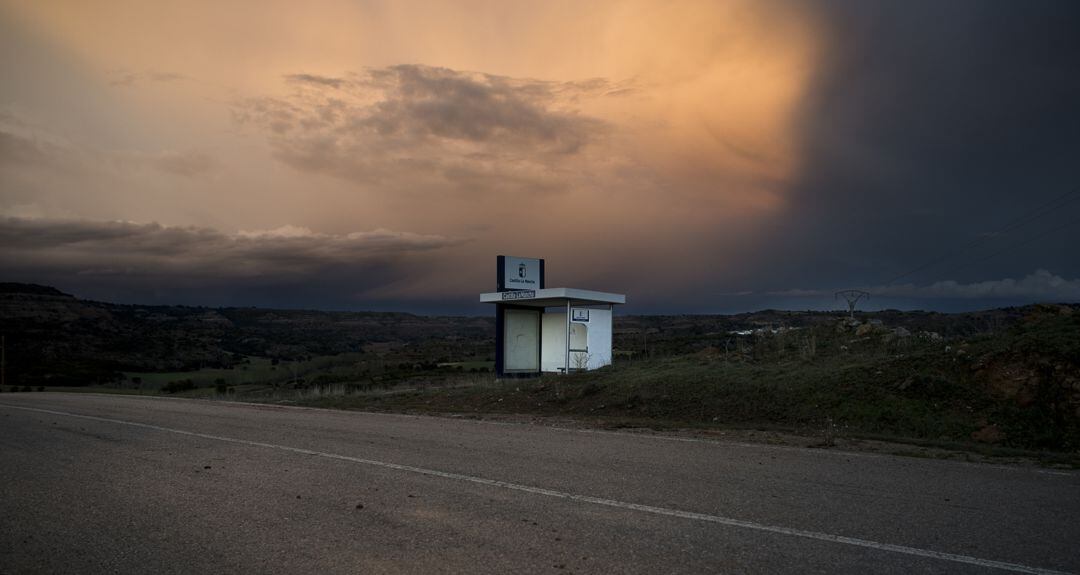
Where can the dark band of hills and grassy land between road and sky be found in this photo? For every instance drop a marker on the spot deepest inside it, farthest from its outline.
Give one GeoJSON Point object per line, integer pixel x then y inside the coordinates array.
{"type": "Point", "coordinates": [998, 380]}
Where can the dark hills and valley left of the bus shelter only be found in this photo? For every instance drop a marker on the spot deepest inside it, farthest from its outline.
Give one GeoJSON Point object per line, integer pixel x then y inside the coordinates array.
{"type": "Point", "coordinates": [56, 339]}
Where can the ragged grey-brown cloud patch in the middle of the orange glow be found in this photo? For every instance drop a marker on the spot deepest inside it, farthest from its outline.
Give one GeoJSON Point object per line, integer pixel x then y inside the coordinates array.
{"type": "Point", "coordinates": [420, 122]}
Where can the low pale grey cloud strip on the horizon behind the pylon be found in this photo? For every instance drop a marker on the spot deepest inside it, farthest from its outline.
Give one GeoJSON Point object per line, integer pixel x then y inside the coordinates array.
{"type": "Point", "coordinates": [1041, 286]}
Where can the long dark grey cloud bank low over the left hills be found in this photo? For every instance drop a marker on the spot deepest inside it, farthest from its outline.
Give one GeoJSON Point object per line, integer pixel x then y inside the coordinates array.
{"type": "Point", "coordinates": [110, 258]}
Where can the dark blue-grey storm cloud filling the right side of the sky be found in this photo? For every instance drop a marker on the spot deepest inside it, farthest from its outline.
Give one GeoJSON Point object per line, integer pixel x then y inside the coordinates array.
{"type": "Point", "coordinates": [929, 126]}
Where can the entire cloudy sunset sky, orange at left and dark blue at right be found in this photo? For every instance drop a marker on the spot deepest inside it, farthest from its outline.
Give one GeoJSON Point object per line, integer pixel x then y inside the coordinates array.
{"type": "Point", "coordinates": [700, 157]}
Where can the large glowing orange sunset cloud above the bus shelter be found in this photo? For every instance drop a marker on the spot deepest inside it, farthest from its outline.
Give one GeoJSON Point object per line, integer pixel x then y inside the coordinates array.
{"type": "Point", "coordinates": [641, 127]}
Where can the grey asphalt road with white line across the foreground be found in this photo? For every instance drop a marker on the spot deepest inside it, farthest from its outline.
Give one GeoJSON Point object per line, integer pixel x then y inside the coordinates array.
{"type": "Point", "coordinates": [115, 485]}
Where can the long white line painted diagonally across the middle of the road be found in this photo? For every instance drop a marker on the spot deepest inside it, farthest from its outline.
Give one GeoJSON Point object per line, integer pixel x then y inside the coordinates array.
{"type": "Point", "coordinates": [1016, 568]}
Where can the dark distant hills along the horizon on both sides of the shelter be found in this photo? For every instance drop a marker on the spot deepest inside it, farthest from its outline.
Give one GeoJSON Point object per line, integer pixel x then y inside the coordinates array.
{"type": "Point", "coordinates": [56, 339]}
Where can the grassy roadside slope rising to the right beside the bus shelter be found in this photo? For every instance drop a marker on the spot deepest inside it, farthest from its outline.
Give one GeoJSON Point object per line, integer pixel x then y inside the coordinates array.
{"type": "Point", "coordinates": [1019, 389]}
